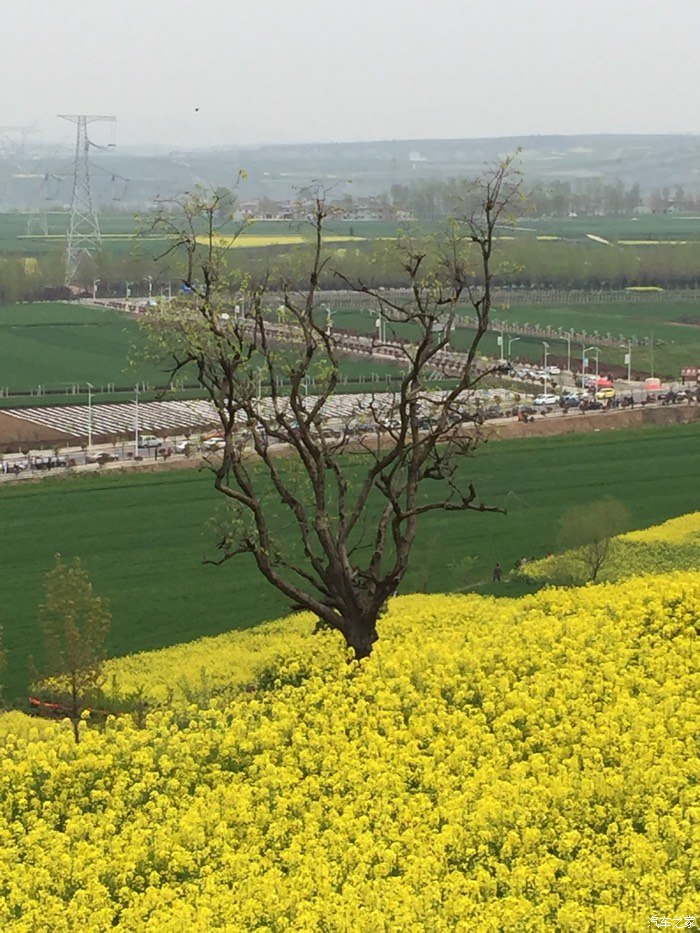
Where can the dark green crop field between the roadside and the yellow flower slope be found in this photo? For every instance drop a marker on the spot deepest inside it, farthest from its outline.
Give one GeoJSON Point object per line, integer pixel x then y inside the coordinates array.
{"type": "Point", "coordinates": [142, 537]}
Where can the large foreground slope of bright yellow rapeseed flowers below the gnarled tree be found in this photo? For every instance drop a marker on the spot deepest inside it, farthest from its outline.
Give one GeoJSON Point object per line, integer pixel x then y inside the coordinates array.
{"type": "Point", "coordinates": [500, 764]}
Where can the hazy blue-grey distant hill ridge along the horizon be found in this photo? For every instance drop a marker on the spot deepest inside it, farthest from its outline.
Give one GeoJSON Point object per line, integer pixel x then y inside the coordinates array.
{"type": "Point", "coordinates": [30, 179]}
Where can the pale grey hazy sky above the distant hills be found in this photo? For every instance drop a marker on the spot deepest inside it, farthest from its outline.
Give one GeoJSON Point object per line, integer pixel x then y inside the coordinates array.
{"type": "Point", "coordinates": [307, 70]}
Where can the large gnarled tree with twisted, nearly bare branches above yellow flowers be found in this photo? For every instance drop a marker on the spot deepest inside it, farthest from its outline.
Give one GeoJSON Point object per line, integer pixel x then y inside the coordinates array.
{"type": "Point", "coordinates": [354, 489]}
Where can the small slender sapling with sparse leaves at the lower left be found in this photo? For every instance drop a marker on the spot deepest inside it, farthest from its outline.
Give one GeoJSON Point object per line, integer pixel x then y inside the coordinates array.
{"type": "Point", "coordinates": [74, 623]}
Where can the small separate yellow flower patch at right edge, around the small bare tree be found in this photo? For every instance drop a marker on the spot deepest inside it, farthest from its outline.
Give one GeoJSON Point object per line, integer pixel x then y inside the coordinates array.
{"type": "Point", "coordinates": [673, 545]}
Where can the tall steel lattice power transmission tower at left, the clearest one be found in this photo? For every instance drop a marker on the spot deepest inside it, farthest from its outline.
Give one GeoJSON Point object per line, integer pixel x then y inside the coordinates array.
{"type": "Point", "coordinates": [84, 230]}
